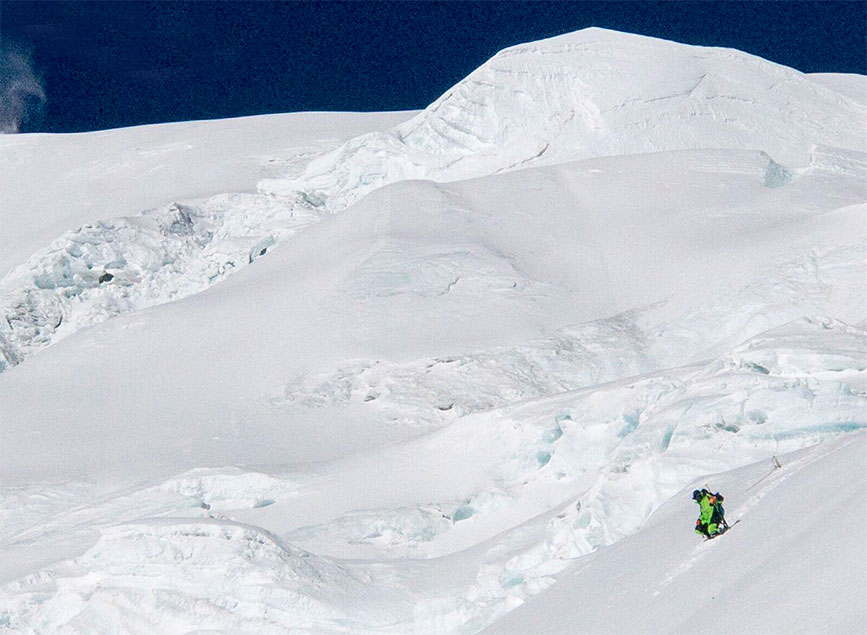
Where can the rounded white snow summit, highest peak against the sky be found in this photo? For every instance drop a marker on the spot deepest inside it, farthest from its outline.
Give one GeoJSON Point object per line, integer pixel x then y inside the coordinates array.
{"type": "Point", "coordinates": [590, 94]}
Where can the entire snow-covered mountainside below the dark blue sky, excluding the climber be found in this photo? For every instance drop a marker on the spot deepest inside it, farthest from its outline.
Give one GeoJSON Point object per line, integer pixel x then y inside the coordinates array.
{"type": "Point", "coordinates": [455, 361]}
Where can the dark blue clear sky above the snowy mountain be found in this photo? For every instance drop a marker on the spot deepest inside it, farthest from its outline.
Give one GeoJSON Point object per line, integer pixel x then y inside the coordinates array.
{"type": "Point", "coordinates": [110, 64]}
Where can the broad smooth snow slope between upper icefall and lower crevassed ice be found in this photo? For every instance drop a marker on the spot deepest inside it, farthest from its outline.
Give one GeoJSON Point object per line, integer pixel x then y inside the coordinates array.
{"type": "Point", "coordinates": [466, 268]}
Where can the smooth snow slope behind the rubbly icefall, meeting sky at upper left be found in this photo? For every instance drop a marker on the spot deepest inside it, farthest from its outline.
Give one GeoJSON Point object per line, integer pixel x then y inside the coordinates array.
{"type": "Point", "coordinates": [55, 183]}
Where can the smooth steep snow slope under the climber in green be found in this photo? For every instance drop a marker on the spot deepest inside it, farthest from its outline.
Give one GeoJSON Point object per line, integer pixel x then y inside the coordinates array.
{"type": "Point", "coordinates": [797, 542]}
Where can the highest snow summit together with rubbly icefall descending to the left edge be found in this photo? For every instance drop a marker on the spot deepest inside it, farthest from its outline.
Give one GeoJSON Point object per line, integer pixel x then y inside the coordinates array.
{"type": "Point", "coordinates": [541, 103]}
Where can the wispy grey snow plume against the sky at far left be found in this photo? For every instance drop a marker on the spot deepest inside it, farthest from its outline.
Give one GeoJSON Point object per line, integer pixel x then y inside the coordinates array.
{"type": "Point", "coordinates": [21, 92]}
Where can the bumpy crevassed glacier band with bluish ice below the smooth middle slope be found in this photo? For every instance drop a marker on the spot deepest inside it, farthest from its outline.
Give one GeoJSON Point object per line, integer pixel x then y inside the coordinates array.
{"type": "Point", "coordinates": [495, 505]}
